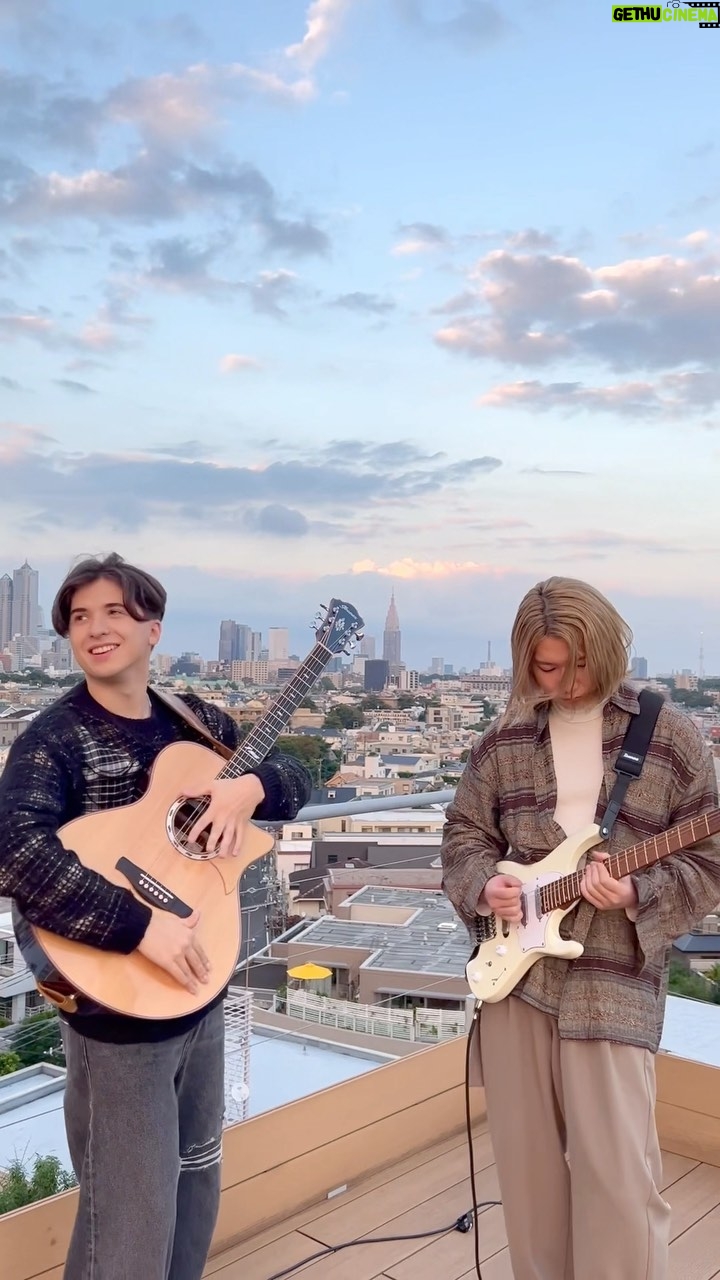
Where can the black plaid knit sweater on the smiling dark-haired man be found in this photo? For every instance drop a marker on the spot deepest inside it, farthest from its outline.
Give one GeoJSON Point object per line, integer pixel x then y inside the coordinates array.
{"type": "Point", "coordinates": [78, 758]}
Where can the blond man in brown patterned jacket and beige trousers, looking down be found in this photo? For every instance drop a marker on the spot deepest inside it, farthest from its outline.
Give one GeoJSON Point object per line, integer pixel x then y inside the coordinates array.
{"type": "Point", "coordinates": [568, 1058]}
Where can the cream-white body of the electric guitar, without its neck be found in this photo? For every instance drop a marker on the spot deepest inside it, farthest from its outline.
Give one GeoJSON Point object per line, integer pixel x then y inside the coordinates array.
{"type": "Point", "coordinates": [504, 959]}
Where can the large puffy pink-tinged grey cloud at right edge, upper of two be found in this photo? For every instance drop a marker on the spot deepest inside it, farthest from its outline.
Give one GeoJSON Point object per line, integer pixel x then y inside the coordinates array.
{"type": "Point", "coordinates": [531, 309]}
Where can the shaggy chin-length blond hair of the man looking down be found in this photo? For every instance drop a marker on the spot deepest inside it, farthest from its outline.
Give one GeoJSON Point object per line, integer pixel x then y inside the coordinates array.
{"type": "Point", "coordinates": [590, 625]}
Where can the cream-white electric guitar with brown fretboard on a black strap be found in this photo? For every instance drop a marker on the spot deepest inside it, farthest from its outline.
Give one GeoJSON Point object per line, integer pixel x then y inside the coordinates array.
{"type": "Point", "coordinates": [552, 888]}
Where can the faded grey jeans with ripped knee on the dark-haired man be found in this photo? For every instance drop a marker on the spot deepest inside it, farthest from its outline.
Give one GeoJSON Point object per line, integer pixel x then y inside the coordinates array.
{"type": "Point", "coordinates": [144, 1127]}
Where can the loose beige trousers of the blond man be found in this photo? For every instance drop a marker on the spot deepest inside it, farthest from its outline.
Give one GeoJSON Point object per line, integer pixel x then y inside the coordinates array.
{"type": "Point", "coordinates": [577, 1151]}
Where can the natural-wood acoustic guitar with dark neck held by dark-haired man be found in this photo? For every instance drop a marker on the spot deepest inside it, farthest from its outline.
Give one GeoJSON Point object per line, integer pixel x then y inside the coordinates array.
{"type": "Point", "coordinates": [144, 847]}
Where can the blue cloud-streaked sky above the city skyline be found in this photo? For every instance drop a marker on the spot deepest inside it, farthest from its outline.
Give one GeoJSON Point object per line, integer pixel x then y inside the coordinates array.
{"type": "Point", "coordinates": [322, 299]}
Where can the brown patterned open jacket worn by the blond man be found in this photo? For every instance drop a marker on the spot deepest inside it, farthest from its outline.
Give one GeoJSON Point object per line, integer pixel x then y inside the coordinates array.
{"type": "Point", "coordinates": [504, 808]}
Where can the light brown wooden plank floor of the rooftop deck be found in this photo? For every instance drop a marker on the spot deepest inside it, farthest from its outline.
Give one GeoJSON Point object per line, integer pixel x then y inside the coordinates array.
{"type": "Point", "coordinates": [432, 1188]}
